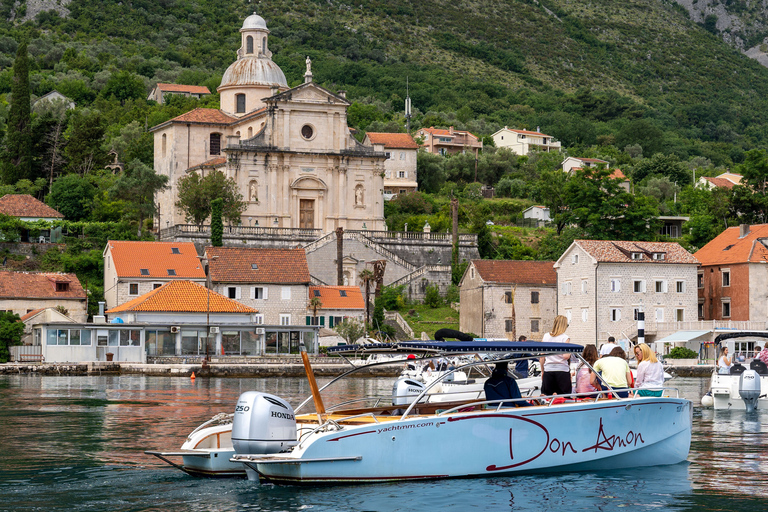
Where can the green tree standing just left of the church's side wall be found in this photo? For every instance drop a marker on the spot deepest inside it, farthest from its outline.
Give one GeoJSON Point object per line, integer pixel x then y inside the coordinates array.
{"type": "Point", "coordinates": [137, 185]}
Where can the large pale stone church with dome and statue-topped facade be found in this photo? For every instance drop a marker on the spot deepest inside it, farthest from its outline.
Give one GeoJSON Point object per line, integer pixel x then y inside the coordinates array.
{"type": "Point", "coordinates": [289, 149]}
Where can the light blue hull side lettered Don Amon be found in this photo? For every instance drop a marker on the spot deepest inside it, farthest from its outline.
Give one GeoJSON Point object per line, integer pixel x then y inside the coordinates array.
{"type": "Point", "coordinates": [609, 434]}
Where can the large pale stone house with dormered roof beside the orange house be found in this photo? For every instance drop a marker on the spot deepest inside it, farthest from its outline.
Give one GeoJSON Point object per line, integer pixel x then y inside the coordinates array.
{"type": "Point", "coordinates": [603, 284]}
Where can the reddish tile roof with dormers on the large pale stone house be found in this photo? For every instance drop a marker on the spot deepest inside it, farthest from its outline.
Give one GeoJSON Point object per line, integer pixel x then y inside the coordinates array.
{"type": "Point", "coordinates": [607, 251]}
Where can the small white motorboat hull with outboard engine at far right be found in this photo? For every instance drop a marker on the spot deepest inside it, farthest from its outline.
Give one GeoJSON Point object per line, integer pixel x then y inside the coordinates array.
{"type": "Point", "coordinates": [726, 390]}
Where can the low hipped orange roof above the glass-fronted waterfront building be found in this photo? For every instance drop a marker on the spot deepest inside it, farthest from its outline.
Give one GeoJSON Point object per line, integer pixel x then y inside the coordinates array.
{"type": "Point", "coordinates": [183, 297]}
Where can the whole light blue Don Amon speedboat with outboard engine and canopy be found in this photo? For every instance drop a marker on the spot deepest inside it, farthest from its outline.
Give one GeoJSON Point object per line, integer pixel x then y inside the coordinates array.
{"type": "Point", "coordinates": [368, 440]}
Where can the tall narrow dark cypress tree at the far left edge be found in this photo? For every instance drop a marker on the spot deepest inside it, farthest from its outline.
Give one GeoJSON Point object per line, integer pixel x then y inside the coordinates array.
{"type": "Point", "coordinates": [18, 141]}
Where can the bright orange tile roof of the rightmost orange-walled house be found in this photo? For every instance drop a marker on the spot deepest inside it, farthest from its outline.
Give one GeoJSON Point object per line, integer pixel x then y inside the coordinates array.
{"type": "Point", "coordinates": [728, 248]}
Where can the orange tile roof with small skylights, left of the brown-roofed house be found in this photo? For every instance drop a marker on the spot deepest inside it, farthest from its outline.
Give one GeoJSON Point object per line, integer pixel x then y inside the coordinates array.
{"type": "Point", "coordinates": [156, 258]}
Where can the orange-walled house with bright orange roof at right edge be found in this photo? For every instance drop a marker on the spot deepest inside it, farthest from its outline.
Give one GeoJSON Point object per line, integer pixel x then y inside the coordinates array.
{"type": "Point", "coordinates": [733, 277]}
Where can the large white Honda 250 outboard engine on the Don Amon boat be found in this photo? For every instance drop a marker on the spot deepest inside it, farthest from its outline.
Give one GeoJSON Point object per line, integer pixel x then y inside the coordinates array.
{"type": "Point", "coordinates": [262, 424]}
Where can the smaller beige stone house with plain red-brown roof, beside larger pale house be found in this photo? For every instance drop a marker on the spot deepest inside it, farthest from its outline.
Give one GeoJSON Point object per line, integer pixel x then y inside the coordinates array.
{"type": "Point", "coordinates": [502, 297]}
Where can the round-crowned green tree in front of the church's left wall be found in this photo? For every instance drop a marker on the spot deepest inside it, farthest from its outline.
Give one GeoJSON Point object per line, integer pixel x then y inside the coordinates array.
{"type": "Point", "coordinates": [195, 194]}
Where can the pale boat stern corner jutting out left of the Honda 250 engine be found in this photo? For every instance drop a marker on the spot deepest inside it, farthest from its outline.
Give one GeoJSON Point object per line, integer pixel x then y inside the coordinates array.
{"type": "Point", "coordinates": [207, 450]}
